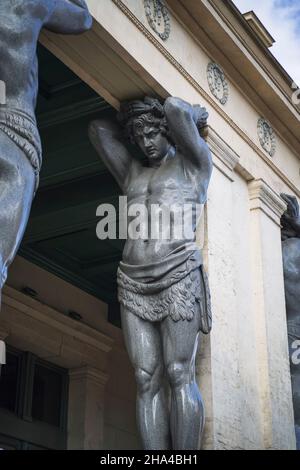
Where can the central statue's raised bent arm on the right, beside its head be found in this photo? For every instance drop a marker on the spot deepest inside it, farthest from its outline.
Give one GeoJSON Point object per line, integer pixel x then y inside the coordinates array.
{"type": "Point", "coordinates": [183, 120]}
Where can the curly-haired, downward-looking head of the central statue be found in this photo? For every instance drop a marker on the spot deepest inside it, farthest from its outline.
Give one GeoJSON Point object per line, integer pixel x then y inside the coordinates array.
{"type": "Point", "coordinates": [146, 126]}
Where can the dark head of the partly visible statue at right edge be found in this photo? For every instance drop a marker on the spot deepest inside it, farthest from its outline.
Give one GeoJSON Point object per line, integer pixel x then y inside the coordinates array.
{"type": "Point", "coordinates": [290, 221]}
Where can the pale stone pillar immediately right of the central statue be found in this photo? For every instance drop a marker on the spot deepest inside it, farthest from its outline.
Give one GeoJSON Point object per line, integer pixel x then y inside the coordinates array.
{"type": "Point", "coordinates": [218, 365]}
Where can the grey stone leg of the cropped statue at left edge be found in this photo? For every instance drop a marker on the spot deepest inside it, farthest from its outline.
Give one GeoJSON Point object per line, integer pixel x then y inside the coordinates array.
{"type": "Point", "coordinates": [17, 181]}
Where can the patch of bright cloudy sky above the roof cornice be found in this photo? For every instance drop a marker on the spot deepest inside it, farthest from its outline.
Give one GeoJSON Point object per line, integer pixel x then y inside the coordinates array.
{"type": "Point", "coordinates": [282, 20]}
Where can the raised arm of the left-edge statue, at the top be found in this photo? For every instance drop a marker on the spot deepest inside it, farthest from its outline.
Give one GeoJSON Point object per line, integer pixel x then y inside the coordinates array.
{"type": "Point", "coordinates": [69, 17]}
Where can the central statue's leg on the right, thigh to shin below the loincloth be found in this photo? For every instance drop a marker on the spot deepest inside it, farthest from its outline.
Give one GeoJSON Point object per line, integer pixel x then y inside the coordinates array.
{"type": "Point", "coordinates": [180, 341]}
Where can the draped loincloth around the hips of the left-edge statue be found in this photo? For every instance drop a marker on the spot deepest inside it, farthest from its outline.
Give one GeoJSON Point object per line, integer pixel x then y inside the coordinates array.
{"type": "Point", "coordinates": [22, 130]}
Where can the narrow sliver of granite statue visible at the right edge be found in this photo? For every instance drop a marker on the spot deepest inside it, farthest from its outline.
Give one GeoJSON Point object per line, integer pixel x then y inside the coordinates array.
{"type": "Point", "coordinates": [291, 265]}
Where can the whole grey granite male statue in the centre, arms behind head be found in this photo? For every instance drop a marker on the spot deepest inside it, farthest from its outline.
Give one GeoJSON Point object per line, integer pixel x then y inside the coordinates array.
{"type": "Point", "coordinates": [162, 287]}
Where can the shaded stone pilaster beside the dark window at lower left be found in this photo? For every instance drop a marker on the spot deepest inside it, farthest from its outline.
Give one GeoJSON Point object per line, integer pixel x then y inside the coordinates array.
{"type": "Point", "coordinates": [86, 408]}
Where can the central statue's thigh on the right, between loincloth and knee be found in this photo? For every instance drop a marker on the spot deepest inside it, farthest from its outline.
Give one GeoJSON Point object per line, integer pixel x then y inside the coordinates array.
{"type": "Point", "coordinates": [180, 340]}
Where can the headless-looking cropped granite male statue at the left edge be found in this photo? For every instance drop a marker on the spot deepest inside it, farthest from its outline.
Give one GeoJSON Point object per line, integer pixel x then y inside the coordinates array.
{"type": "Point", "coordinates": [21, 22]}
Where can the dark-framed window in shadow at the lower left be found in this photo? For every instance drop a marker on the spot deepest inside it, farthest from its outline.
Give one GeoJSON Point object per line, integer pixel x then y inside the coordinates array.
{"type": "Point", "coordinates": [33, 402]}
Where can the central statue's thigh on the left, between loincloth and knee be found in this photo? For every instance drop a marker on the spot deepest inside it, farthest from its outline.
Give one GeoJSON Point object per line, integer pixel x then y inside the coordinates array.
{"type": "Point", "coordinates": [142, 340]}
